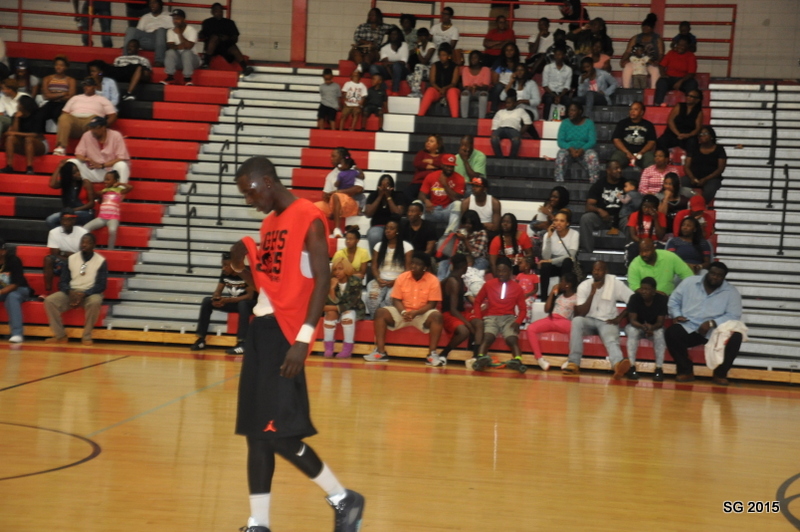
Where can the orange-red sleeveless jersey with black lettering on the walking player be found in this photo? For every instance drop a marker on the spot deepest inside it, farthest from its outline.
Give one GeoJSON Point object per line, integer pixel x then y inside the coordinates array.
{"type": "Point", "coordinates": [275, 263]}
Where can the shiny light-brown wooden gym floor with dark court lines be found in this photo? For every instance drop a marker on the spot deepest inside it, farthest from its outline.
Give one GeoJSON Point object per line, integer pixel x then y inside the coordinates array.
{"type": "Point", "coordinates": [140, 438]}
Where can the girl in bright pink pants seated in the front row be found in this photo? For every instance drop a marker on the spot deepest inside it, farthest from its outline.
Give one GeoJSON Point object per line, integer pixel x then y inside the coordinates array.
{"type": "Point", "coordinates": [560, 307]}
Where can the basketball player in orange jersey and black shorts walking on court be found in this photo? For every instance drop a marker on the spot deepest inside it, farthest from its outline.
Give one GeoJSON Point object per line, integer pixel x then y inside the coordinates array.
{"type": "Point", "coordinates": [289, 271]}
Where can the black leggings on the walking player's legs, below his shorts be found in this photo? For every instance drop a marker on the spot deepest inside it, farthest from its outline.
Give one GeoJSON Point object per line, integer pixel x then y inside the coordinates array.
{"type": "Point", "coordinates": [261, 460]}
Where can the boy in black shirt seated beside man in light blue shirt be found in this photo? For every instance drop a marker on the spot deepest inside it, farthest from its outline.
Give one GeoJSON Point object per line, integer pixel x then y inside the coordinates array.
{"type": "Point", "coordinates": [647, 309]}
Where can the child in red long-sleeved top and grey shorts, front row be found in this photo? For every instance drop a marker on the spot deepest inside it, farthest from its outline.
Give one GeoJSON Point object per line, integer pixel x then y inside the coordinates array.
{"type": "Point", "coordinates": [505, 309]}
